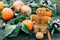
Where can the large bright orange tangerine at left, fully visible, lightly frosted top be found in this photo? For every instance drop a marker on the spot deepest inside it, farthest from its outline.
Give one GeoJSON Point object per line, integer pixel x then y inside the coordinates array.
{"type": "Point", "coordinates": [7, 13]}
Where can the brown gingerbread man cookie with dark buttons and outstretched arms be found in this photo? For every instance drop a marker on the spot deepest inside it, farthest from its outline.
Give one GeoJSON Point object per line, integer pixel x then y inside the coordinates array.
{"type": "Point", "coordinates": [40, 21]}
